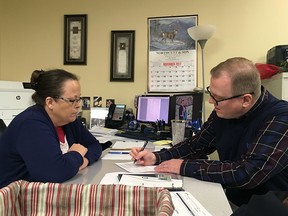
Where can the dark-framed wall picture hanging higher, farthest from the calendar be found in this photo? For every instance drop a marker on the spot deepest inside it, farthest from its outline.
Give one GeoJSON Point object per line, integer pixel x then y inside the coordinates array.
{"type": "Point", "coordinates": [75, 39]}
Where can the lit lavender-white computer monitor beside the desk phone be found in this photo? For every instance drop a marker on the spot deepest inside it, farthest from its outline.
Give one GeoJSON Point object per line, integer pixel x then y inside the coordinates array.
{"type": "Point", "coordinates": [151, 108]}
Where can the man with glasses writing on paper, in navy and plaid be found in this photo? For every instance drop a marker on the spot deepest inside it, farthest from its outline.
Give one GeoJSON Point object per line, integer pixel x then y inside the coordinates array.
{"type": "Point", "coordinates": [248, 128]}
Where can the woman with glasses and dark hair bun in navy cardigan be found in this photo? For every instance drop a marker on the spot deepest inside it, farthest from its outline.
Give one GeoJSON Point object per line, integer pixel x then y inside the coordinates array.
{"type": "Point", "coordinates": [47, 142]}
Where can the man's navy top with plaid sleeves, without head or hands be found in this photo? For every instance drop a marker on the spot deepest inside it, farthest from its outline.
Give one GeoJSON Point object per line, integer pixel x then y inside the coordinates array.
{"type": "Point", "coordinates": [253, 151]}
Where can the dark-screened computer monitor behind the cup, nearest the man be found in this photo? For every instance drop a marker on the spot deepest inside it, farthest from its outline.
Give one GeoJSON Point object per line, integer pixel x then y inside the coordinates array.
{"type": "Point", "coordinates": [187, 107]}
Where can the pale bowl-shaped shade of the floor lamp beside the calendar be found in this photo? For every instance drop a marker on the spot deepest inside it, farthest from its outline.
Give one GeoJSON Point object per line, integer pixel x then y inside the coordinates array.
{"type": "Point", "coordinates": [202, 32]}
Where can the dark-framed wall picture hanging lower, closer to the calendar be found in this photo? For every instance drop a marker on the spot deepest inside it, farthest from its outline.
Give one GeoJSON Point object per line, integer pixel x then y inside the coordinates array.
{"type": "Point", "coordinates": [122, 55]}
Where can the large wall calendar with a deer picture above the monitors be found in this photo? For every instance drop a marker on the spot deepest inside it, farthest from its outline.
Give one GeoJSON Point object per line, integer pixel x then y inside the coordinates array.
{"type": "Point", "coordinates": [172, 54]}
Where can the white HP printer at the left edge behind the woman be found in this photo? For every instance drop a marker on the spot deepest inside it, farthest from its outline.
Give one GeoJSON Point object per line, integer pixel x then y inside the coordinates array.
{"type": "Point", "coordinates": [15, 97]}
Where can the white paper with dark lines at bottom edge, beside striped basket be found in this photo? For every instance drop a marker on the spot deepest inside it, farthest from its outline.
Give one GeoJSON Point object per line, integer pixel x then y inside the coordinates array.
{"type": "Point", "coordinates": [186, 204]}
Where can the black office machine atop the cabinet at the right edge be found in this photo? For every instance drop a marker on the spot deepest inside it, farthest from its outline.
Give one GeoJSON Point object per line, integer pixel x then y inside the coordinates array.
{"type": "Point", "coordinates": [276, 55]}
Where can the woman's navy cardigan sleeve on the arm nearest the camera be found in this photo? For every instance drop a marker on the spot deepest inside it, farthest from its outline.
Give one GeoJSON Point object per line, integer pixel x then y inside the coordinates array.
{"type": "Point", "coordinates": [38, 145]}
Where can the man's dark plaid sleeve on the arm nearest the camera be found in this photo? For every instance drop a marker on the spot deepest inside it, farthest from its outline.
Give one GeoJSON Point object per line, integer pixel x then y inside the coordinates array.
{"type": "Point", "coordinates": [265, 159]}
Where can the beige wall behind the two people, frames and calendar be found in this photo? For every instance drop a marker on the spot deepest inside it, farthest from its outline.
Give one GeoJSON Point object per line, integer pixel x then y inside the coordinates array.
{"type": "Point", "coordinates": [31, 36]}
